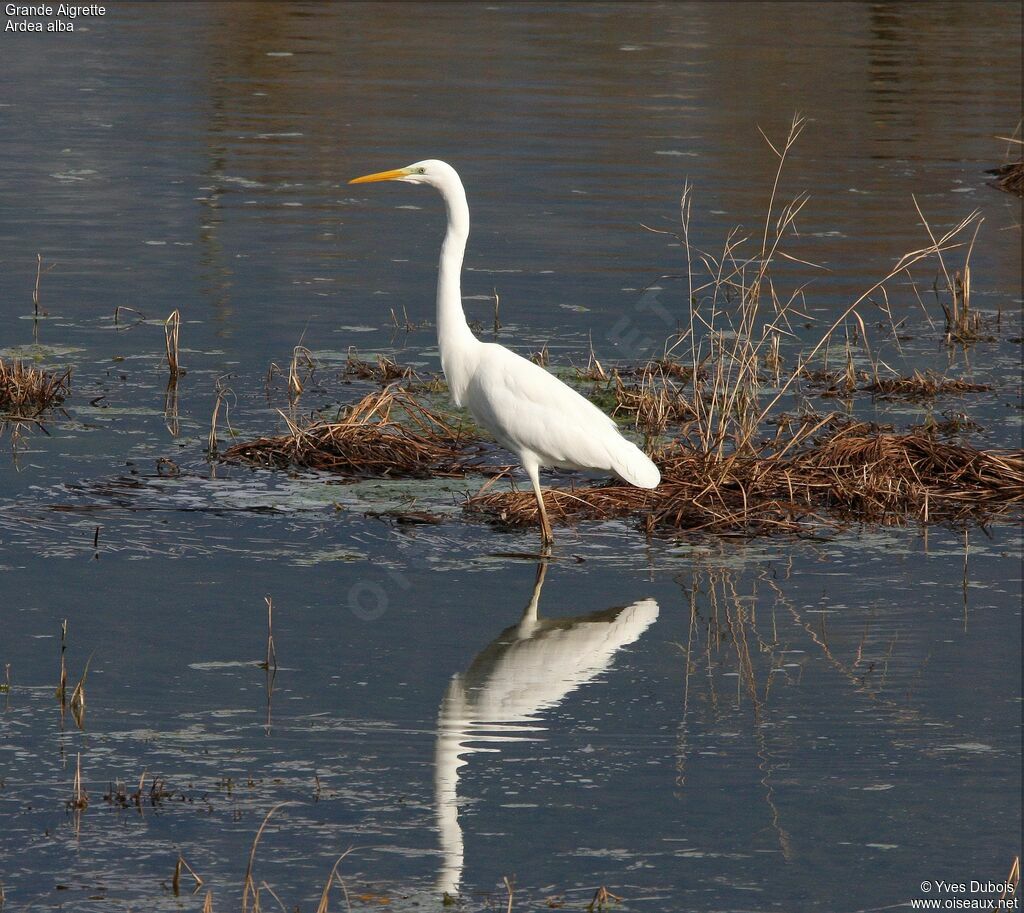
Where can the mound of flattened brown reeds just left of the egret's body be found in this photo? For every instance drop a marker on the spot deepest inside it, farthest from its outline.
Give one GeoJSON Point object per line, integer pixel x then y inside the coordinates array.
{"type": "Point", "coordinates": [386, 434]}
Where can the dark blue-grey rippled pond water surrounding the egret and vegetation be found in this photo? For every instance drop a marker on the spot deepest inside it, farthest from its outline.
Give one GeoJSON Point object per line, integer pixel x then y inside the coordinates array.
{"type": "Point", "coordinates": [702, 725]}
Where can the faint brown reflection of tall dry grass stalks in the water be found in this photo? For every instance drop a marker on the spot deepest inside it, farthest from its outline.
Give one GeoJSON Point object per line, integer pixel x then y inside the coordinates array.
{"type": "Point", "coordinates": [738, 627]}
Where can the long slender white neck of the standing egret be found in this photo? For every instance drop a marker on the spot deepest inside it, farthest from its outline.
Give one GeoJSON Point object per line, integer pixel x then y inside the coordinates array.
{"type": "Point", "coordinates": [455, 339]}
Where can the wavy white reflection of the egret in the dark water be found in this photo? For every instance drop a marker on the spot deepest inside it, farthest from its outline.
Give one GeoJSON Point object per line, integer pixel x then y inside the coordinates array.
{"type": "Point", "coordinates": [529, 668]}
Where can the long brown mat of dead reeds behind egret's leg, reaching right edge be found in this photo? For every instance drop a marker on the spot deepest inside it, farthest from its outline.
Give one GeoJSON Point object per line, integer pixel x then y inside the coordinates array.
{"type": "Point", "coordinates": [850, 473]}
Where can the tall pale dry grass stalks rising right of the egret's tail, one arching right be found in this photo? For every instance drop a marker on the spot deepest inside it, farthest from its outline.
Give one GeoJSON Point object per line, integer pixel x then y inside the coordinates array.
{"type": "Point", "coordinates": [739, 315]}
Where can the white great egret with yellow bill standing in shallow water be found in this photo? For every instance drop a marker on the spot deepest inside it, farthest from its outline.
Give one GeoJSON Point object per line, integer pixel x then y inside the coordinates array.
{"type": "Point", "coordinates": [529, 411]}
